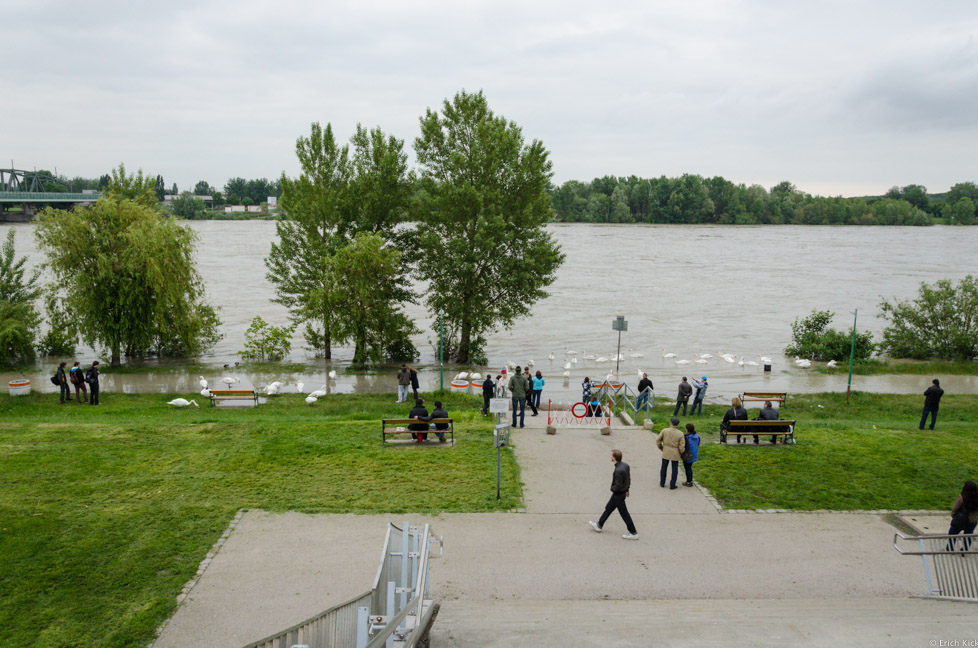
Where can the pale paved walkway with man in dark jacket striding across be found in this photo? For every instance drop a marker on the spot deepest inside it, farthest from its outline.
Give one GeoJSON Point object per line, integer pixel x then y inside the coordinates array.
{"type": "Point", "coordinates": [692, 572]}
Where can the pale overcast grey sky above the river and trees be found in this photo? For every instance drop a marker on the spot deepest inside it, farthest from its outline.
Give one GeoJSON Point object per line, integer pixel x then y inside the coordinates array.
{"type": "Point", "coordinates": [840, 98]}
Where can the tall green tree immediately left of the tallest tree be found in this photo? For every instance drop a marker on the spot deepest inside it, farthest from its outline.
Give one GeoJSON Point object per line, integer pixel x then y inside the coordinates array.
{"type": "Point", "coordinates": [335, 198]}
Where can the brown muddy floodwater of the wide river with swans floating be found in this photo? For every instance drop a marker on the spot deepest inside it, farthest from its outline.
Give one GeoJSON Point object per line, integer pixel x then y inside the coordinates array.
{"type": "Point", "coordinates": [688, 290]}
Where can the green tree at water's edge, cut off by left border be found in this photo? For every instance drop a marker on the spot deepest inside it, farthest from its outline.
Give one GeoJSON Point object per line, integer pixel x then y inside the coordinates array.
{"type": "Point", "coordinates": [19, 318]}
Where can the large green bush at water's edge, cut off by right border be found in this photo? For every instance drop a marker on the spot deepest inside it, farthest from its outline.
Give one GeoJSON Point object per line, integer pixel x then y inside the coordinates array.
{"type": "Point", "coordinates": [939, 323]}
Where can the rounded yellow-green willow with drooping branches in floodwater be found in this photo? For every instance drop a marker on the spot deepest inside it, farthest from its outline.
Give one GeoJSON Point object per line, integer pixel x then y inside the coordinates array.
{"type": "Point", "coordinates": [128, 274]}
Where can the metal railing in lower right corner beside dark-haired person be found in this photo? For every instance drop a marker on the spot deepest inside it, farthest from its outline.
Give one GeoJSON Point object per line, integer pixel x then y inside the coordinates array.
{"type": "Point", "coordinates": [950, 563]}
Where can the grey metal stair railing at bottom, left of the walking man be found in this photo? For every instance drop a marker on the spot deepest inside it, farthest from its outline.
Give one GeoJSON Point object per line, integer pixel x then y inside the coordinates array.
{"type": "Point", "coordinates": [394, 613]}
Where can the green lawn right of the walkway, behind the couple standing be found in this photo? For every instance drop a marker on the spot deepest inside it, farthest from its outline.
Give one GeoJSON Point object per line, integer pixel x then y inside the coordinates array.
{"type": "Point", "coordinates": [862, 456]}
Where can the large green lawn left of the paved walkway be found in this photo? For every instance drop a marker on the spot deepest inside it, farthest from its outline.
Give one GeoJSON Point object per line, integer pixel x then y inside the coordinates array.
{"type": "Point", "coordinates": [106, 511]}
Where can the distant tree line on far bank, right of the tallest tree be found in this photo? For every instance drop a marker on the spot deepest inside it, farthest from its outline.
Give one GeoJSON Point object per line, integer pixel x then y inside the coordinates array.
{"type": "Point", "coordinates": [692, 199]}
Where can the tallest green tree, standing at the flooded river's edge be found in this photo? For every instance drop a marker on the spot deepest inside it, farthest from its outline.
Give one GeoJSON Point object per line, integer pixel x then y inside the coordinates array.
{"type": "Point", "coordinates": [485, 252]}
